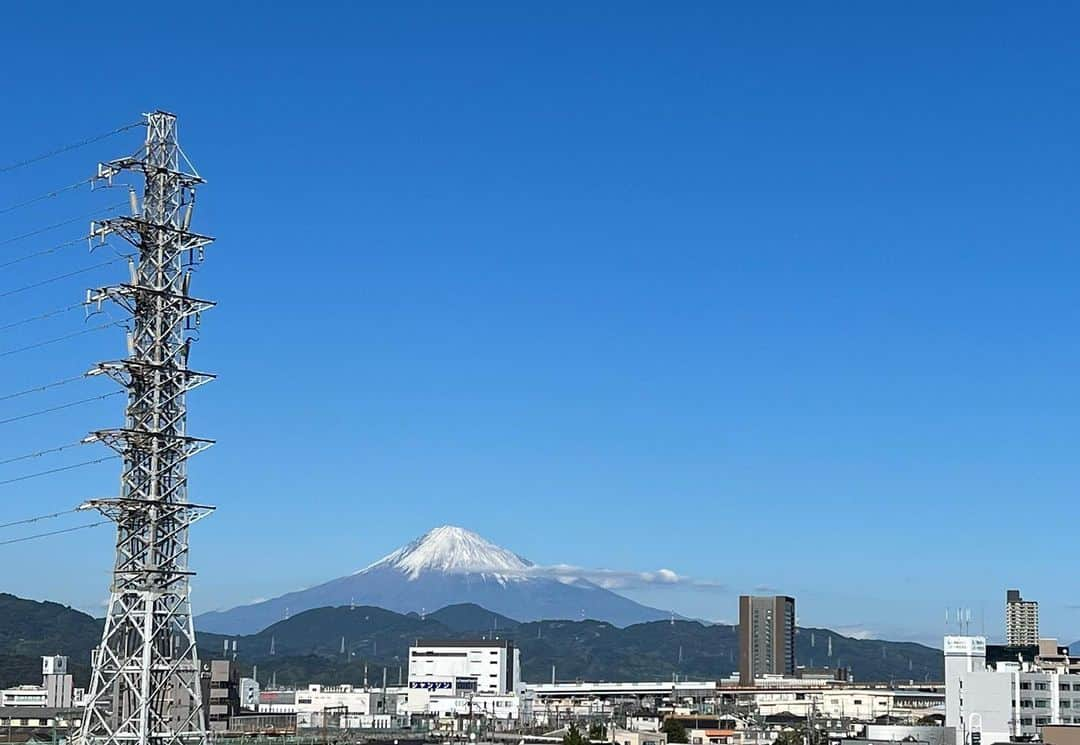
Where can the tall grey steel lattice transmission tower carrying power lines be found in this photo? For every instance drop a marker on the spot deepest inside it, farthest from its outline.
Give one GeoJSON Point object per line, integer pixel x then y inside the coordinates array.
{"type": "Point", "coordinates": [145, 687]}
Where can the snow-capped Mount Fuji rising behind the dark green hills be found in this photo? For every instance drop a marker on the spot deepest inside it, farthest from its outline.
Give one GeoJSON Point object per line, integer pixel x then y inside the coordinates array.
{"type": "Point", "coordinates": [443, 567]}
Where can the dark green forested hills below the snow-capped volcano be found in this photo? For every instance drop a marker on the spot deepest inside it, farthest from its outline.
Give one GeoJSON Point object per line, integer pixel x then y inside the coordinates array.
{"type": "Point", "coordinates": [307, 647]}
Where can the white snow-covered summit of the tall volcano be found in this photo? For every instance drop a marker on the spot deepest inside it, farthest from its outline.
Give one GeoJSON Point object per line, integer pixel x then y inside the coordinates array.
{"type": "Point", "coordinates": [454, 551]}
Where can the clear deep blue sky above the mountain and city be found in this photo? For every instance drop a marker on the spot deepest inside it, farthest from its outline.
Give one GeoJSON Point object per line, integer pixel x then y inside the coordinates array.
{"type": "Point", "coordinates": [773, 297]}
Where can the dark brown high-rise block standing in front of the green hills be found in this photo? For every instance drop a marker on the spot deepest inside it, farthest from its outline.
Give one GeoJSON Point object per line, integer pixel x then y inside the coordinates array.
{"type": "Point", "coordinates": [766, 638]}
